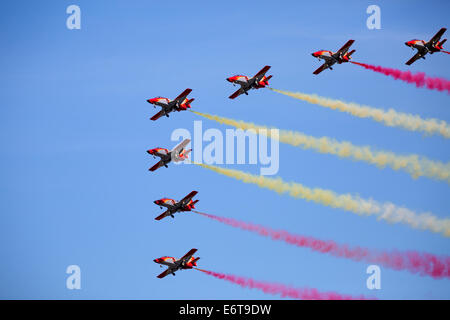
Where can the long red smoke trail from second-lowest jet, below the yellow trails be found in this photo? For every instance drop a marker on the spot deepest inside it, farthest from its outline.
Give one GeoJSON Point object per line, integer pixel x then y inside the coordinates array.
{"type": "Point", "coordinates": [412, 261]}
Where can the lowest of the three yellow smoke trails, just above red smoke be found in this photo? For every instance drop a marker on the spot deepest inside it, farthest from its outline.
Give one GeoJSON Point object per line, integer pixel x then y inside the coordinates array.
{"type": "Point", "coordinates": [352, 203]}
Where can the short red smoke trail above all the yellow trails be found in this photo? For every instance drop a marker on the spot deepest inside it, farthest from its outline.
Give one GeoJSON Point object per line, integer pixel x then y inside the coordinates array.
{"type": "Point", "coordinates": [420, 79]}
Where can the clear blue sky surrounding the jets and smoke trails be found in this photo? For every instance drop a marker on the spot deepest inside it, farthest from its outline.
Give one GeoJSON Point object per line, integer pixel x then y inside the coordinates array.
{"type": "Point", "coordinates": [75, 127]}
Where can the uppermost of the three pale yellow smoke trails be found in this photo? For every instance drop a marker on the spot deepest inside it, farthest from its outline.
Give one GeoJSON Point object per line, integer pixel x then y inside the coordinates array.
{"type": "Point", "coordinates": [390, 118]}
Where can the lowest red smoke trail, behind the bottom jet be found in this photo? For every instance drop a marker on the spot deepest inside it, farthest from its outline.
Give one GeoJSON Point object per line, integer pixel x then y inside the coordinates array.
{"type": "Point", "coordinates": [280, 289]}
